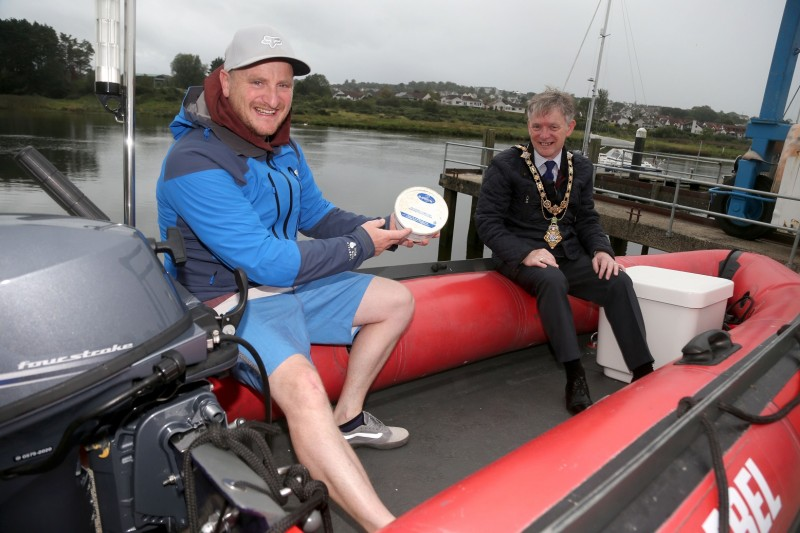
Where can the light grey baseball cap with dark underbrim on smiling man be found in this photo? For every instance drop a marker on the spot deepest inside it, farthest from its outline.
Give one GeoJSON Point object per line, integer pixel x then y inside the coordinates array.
{"type": "Point", "coordinates": [258, 43]}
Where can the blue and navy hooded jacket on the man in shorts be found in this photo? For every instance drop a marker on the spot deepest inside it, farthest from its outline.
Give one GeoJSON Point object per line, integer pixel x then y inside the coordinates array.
{"type": "Point", "coordinates": [238, 205]}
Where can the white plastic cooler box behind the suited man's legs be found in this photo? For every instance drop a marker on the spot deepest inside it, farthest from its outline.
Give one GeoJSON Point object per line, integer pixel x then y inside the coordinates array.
{"type": "Point", "coordinates": [676, 307]}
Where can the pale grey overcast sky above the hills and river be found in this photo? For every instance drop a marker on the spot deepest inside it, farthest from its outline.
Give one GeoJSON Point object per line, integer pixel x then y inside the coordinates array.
{"type": "Point", "coordinates": [679, 53]}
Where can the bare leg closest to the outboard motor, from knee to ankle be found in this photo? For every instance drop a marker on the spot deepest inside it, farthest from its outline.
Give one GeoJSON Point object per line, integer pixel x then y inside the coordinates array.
{"type": "Point", "coordinates": [297, 388]}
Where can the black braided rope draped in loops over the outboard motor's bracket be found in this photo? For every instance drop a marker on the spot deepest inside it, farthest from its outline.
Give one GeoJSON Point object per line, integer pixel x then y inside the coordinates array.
{"type": "Point", "coordinates": [248, 443]}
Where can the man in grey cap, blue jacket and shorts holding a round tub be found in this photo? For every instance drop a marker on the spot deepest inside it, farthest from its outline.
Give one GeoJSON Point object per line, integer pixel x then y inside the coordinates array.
{"type": "Point", "coordinates": [240, 190]}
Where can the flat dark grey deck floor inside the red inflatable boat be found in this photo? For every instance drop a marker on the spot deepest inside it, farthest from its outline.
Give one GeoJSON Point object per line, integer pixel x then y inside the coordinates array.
{"type": "Point", "coordinates": [461, 420]}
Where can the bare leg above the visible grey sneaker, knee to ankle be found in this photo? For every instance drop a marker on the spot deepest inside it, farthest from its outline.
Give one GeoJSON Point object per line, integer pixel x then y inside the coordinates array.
{"type": "Point", "coordinates": [384, 313]}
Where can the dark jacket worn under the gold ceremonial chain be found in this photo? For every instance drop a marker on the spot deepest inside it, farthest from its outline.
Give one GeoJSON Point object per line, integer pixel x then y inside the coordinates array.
{"type": "Point", "coordinates": [512, 222]}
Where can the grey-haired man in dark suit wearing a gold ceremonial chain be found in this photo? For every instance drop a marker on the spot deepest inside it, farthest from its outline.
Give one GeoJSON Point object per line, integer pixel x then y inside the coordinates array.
{"type": "Point", "coordinates": [536, 213]}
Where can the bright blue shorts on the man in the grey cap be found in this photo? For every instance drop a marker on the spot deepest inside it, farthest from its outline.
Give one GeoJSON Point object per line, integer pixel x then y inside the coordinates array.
{"type": "Point", "coordinates": [287, 323]}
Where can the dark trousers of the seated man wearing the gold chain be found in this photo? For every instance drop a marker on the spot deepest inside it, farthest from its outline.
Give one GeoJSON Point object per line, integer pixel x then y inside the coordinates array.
{"type": "Point", "coordinates": [551, 286]}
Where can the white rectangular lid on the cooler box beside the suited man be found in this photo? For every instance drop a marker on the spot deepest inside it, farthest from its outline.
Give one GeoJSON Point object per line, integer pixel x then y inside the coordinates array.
{"type": "Point", "coordinates": [685, 289]}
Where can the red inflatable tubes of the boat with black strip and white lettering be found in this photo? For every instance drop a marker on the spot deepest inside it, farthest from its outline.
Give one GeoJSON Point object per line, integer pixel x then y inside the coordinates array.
{"type": "Point", "coordinates": [652, 456]}
